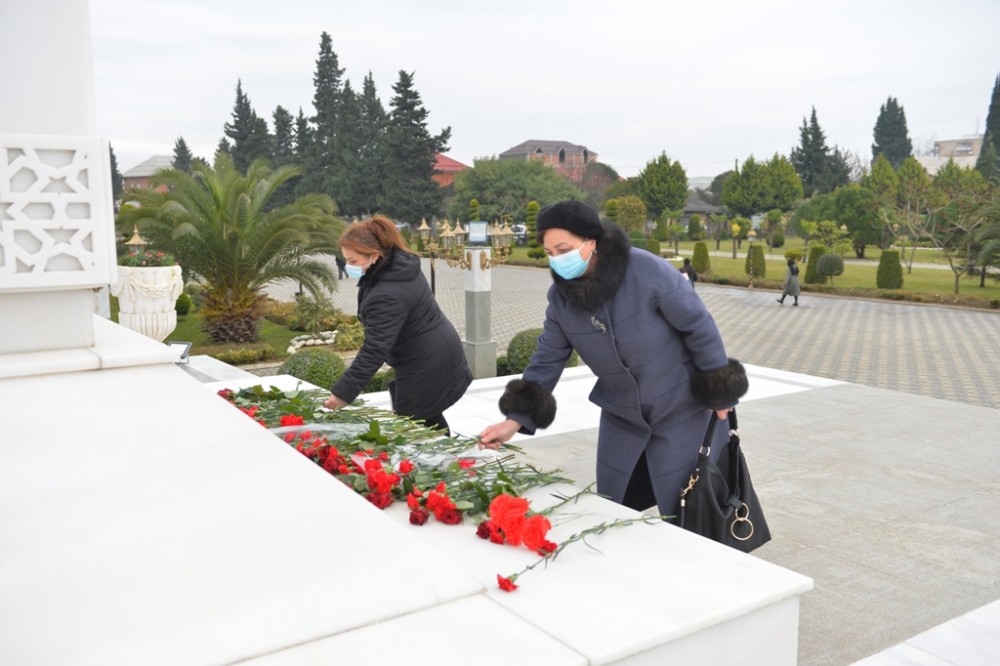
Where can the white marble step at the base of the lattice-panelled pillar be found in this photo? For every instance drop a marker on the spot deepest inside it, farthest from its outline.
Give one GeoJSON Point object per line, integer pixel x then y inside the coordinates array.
{"type": "Point", "coordinates": [114, 347]}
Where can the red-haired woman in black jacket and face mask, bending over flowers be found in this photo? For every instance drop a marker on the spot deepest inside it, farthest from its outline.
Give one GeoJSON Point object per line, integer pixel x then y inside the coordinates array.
{"type": "Point", "coordinates": [404, 327]}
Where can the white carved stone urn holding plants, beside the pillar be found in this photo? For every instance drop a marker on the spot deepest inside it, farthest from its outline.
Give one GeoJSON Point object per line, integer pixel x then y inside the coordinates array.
{"type": "Point", "coordinates": [147, 298]}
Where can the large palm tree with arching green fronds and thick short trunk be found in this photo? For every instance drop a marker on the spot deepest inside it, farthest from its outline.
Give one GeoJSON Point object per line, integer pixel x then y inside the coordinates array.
{"type": "Point", "coordinates": [218, 224]}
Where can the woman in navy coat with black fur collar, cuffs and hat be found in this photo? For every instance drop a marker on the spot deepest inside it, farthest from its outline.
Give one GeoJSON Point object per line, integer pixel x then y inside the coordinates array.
{"type": "Point", "coordinates": [658, 356]}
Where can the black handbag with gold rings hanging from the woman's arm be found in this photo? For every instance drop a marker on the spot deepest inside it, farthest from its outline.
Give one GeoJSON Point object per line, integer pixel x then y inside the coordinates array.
{"type": "Point", "coordinates": [719, 501]}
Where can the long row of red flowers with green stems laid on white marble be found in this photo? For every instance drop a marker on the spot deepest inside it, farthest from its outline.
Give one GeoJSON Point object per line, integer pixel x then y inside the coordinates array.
{"type": "Point", "coordinates": [388, 459]}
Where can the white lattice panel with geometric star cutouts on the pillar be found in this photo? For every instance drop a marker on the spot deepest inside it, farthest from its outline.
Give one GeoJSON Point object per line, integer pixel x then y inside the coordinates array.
{"type": "Point", "coordinates": [56, 218]}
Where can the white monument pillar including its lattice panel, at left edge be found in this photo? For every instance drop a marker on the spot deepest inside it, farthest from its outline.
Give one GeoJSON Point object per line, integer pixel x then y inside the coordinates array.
{"type": "Point", "coordinates": [56, 214]}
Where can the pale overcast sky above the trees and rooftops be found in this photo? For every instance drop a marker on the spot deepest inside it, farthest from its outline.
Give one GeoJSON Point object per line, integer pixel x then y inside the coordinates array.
{"type": "Point", "coordinates": [706, 81]}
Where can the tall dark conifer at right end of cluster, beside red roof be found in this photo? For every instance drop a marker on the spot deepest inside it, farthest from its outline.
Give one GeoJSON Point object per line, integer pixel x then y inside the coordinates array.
{"type": "Point", "coordinates": [411, 152]}
